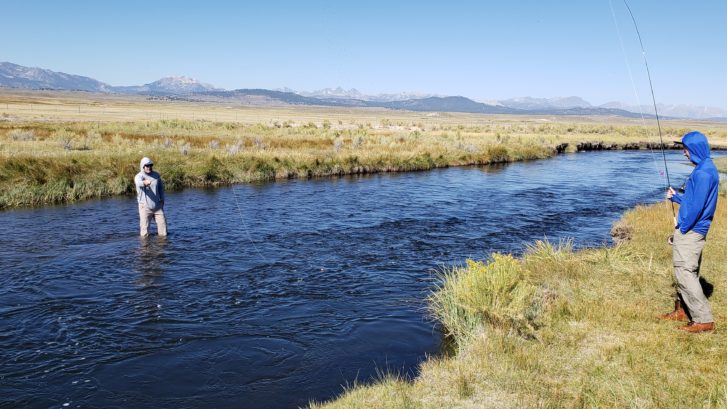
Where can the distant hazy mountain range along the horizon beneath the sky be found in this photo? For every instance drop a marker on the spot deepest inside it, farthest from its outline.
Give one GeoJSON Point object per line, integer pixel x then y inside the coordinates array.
{"type": "Point", "coordinates": [18, 76]}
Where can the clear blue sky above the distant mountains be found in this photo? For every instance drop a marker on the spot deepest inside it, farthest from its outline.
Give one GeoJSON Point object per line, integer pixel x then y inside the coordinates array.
{"type": "Point", "coordinates": [483, 50]}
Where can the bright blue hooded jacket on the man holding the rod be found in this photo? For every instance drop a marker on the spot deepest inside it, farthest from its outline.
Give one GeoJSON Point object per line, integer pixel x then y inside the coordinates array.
{"type": "Point", "coordinates": [699, 201]}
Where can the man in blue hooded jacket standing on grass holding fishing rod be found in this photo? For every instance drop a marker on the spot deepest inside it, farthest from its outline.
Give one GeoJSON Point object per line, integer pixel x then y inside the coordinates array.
{"type": "Point", "coordinates": [696, 210]}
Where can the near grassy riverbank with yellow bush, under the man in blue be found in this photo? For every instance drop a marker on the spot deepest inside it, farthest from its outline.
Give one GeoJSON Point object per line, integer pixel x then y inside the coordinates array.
{"type": "Point", "coordinates": [562, 328]}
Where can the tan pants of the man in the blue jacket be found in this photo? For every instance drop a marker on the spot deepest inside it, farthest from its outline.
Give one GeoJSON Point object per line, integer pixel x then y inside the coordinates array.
{"type": "Point", "coordinates": [687, 257]}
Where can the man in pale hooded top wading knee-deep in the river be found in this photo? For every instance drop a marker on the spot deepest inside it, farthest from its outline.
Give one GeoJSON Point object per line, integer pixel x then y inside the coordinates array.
{"type": "Point", "coordinates": [150, 195]}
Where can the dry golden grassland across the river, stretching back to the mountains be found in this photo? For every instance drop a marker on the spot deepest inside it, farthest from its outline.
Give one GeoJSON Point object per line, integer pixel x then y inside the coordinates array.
{"type": "Point", "coordinates": [62, 147]}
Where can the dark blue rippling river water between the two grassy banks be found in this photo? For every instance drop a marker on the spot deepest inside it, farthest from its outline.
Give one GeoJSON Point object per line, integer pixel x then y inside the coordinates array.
{"type": "Point", "coordinates": [303, 287]}
